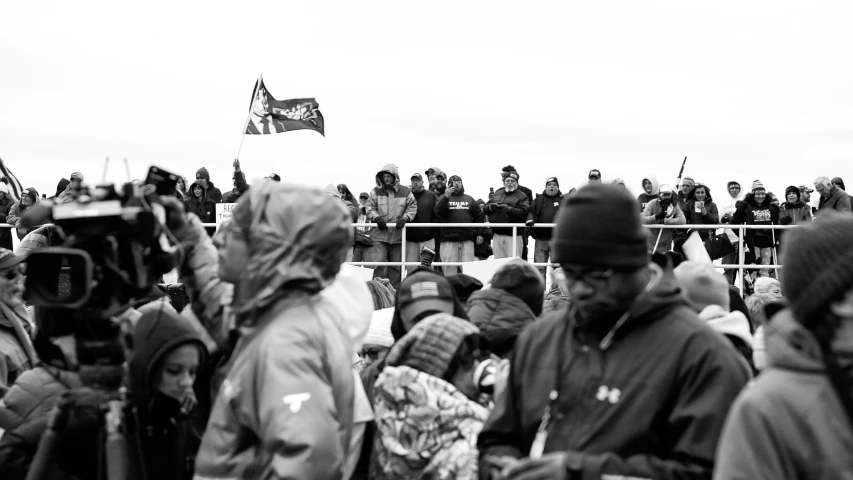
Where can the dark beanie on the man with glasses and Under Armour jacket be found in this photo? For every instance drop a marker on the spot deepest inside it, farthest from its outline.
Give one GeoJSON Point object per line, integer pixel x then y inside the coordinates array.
{"type": "Point", "coordinates": [599, 226]}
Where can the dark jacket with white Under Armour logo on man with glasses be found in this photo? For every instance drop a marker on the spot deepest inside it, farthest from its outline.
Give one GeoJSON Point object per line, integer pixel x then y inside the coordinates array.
{"type": "Point", "coordinates": [626, 407]}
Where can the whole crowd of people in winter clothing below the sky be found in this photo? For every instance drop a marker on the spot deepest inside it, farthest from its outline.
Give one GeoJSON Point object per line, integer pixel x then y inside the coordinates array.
{"type": "Point", "coordinates": [635, 363]}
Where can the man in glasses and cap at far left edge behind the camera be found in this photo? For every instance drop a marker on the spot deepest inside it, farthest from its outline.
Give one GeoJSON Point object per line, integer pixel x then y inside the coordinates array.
{"type": "Point", "coordinates": [16, 348]}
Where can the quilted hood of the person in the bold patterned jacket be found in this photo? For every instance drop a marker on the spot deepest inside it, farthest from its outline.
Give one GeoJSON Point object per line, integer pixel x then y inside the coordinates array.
{"type": "Point", "coordinates": [431, 344]}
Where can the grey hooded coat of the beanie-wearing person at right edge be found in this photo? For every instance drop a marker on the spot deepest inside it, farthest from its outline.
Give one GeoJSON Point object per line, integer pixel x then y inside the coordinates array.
{"type": "Point", "coordinates": [789, 424]}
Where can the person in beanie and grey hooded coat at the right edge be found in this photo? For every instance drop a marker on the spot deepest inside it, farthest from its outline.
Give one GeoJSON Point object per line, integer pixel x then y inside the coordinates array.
{"type": "Point", "coordinates": [796, 420]}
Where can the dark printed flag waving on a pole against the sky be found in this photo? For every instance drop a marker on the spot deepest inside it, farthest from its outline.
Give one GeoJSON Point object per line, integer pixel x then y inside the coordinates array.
{"type": "Point", "coordinates": [268, 115]}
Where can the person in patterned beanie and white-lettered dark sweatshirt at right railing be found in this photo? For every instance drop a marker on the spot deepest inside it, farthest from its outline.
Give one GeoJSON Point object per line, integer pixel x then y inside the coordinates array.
{"type": "Point", "coordinates": [757, 209]}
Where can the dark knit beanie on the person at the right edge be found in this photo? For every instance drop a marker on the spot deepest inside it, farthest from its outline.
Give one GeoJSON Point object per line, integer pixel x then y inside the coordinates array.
{"type": "Point", "coordinates": [818, 265]}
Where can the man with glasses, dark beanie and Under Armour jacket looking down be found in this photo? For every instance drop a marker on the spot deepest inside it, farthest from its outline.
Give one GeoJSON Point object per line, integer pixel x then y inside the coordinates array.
{"type": "Point", "coordinates": [628, 382]}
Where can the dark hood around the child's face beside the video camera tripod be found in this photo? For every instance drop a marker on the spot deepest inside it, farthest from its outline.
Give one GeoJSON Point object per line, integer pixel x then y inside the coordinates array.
{"type": "Point", "coordinates": [157, 332]}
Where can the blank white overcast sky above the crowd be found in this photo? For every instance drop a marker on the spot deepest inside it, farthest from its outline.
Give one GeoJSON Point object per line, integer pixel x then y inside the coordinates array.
{"type": "Point", "coordinates": [745, 89]}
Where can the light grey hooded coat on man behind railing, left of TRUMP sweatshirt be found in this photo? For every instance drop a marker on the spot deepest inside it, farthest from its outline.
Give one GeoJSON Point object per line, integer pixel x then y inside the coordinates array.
{"type": "Point", "coordinates": [390, 205]}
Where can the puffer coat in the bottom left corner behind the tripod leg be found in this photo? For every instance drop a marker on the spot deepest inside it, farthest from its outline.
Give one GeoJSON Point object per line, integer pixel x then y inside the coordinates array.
{"type": "Point", "coordinates": [24, 411]}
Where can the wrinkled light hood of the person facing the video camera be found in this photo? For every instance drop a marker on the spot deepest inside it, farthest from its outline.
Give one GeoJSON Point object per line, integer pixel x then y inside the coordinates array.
{"type": "Point", "coordinates": [298, 238]}
